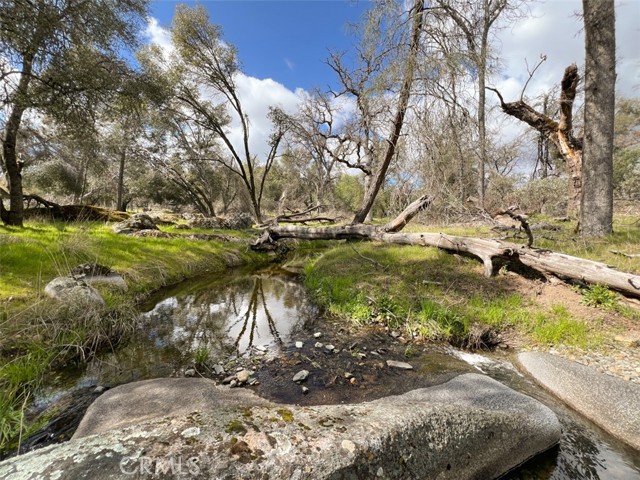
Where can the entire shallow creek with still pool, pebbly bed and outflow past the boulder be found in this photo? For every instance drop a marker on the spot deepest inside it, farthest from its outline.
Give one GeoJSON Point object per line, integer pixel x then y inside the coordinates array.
{"type": "Point", "coordinates": [253, 320]}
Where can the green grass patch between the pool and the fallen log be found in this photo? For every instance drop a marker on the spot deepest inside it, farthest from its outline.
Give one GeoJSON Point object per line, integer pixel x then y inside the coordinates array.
{"type": "Point", "coordinates": [435, 295]}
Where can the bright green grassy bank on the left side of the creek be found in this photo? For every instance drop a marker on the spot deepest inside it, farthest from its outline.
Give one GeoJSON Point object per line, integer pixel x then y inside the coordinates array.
{"type": "Point", "coordinates": [38, 334]}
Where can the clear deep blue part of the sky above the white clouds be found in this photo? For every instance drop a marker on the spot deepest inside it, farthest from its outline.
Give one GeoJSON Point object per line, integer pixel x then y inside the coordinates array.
{"type": "Point", "coordinates": [286, 41]}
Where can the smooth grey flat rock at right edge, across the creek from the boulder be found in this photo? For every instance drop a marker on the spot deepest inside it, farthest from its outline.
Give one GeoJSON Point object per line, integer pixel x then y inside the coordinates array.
{"type": "Point", "coordinates": [610, 402]}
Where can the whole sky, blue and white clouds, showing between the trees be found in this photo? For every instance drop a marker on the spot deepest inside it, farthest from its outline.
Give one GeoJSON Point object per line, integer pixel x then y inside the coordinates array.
{"type": "Point", "coordinates": [283, 46]}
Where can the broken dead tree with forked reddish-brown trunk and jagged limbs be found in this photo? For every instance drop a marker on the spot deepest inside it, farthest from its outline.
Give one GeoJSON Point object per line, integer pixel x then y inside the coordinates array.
{"type": "Point", "coordinates": [560, 132]}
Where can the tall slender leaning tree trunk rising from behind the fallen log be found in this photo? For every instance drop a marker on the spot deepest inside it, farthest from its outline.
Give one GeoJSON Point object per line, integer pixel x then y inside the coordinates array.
{"type": "Point", "coordinates": [405, 91]}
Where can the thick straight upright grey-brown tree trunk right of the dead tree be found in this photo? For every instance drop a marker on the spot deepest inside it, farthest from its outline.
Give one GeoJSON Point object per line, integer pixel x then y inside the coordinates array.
{"type": "Point", "coordinates": [596, 217]}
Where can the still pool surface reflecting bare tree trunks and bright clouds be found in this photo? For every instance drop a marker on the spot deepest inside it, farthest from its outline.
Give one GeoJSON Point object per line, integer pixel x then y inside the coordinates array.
{"type": "Point", "coordinates": [227, 317]}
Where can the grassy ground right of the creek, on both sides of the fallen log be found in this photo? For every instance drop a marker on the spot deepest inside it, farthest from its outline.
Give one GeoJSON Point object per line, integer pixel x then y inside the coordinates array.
{"type": "Point", "coordinates": [431, 294]}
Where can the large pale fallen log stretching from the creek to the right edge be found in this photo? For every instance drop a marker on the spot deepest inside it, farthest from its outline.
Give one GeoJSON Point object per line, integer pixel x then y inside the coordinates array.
{"type": "Point", "coordinates": [488, 251]}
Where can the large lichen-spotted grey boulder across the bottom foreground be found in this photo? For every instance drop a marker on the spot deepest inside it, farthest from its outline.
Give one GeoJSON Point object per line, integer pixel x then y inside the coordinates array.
{"type": "Point", "coordinates": [469, 427]}
